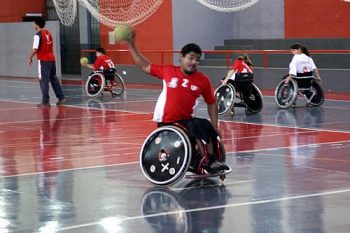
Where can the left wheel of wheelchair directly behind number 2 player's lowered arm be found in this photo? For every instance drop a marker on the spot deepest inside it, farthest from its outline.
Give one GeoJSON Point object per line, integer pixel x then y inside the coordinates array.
{"type": "Point", "coordinates": [225, 95]}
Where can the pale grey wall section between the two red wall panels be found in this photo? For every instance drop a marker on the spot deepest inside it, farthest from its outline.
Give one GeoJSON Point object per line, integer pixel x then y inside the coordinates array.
{"type": "Point", "coordinates": [193, 22]}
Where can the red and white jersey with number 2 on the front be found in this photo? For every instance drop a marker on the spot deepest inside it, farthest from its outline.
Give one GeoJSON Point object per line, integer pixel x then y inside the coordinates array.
{"type": "Point", "coordinates": [180, 93]}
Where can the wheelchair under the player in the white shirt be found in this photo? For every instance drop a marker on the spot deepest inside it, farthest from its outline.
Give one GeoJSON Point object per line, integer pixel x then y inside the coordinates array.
{"type": "Point", "coordinates": [305, 86]}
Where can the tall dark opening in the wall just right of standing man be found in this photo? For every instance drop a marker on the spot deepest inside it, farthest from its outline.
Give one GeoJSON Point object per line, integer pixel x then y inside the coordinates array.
{"type": "Point", "coordinates": [70, 42]}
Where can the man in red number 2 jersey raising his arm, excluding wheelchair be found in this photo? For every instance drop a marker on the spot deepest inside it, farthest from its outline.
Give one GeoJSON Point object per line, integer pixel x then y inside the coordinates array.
{"type": "Point", "coordinates": [182, 87]}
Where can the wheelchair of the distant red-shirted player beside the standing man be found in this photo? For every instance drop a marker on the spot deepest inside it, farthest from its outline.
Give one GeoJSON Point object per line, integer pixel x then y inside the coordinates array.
{"type": "Point", "coordinates": [106, 80]}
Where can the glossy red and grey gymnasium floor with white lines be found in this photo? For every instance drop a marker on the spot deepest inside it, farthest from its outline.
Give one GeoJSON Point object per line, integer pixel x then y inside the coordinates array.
{"type": "Point", "coordinates": [75, 168]}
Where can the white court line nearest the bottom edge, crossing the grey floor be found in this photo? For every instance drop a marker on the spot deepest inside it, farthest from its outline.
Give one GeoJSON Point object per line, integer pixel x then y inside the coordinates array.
{"type": "Point", "coordinates": [248, 203]}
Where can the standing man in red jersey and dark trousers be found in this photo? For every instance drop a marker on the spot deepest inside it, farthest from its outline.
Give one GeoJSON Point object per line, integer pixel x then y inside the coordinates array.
{"type": "Point", "coordinates": [43, 49]}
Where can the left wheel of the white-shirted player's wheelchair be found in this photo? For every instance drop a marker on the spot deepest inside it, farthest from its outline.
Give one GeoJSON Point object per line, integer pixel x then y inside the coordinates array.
{"type": "Point", "coordinates": [286, 94]}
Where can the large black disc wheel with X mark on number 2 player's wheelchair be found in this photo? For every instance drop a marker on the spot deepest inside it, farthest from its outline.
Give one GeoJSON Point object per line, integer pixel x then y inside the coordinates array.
{"type": "Point", "coordinates": [165, 155]}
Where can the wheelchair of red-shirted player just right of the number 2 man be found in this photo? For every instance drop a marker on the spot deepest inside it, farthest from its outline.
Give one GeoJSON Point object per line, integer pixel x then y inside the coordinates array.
{"type": "Point", "coordinates": [239, 93]}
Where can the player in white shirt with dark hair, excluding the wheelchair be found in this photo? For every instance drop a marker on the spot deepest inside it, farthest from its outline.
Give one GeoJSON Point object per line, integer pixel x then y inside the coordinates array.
{"type": "Point", "coordinates": [301, 64]}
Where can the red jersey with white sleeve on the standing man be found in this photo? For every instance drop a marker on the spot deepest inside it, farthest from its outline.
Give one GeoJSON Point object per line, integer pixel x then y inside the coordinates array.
{"type": "Point", "coordinates": [43, 42]}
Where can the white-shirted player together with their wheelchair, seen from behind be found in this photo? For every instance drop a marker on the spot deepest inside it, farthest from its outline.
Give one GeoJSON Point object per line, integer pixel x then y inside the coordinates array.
{"type": "Point", "coordinates": [303, 78]}
